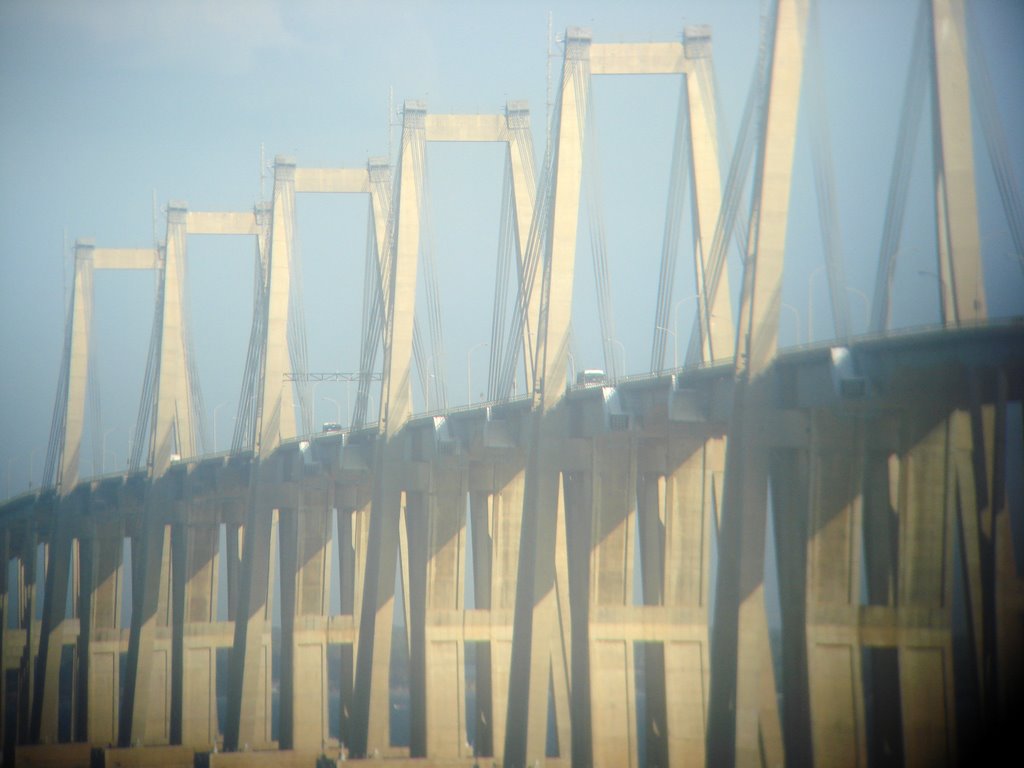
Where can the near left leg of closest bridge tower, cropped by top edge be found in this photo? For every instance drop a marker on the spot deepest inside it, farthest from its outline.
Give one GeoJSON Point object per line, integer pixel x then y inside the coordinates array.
{"type": "Point", "coordinates": [744, 721]}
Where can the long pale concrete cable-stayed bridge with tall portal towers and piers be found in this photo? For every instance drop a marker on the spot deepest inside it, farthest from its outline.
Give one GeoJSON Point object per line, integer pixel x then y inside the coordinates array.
{"type": "Point", "coordinates": [754, 556]}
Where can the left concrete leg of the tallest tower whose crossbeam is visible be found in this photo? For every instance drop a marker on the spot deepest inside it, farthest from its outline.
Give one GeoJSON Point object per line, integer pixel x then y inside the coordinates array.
{"type": "Point", "coordinates": [538, 634]}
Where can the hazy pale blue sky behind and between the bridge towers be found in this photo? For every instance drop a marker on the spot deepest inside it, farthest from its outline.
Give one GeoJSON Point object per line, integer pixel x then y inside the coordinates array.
{"type": "Point", "coordinates": [105, 103]}
